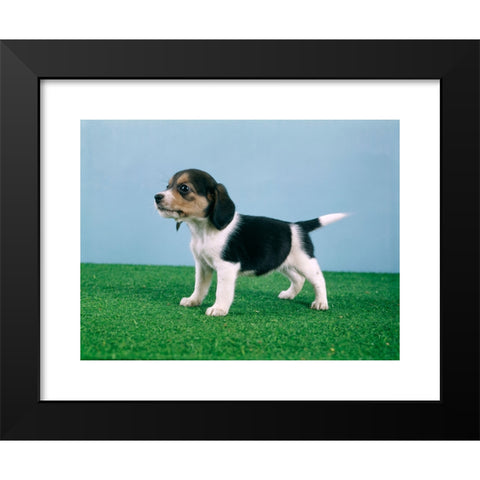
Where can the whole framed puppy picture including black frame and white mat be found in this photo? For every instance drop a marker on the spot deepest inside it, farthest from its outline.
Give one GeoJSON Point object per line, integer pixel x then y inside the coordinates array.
{"type": "Point", "coordinates": [118, 155]}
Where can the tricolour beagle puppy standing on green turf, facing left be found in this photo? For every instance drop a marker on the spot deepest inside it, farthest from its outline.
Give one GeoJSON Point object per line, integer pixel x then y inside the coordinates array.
{"type": "Point", "coordinates": [234, 244]}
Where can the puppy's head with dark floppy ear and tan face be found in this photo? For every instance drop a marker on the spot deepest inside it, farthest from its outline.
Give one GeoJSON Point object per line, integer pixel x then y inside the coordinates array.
{"type": "Point", "coordinates": [194, 194]}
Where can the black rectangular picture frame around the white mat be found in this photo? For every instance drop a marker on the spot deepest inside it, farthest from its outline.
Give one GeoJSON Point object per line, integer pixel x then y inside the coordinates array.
{"type": "Point", "coordinates": [25, 63]}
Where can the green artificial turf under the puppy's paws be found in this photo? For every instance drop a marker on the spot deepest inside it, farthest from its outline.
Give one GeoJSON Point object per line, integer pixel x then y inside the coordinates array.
{"type": "Point", "coordinates": [132, 312]}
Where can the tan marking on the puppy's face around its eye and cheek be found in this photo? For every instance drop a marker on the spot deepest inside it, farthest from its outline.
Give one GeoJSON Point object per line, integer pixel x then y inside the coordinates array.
{"type": "Point", "coordinates": [189, 205]}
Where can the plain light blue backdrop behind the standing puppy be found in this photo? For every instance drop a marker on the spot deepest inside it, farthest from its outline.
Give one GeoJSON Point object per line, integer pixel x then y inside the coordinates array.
{"type": "Point", "coordinates": [291, 170]}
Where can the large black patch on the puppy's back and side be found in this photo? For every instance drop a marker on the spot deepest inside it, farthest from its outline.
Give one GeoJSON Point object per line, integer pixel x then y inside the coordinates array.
{"type": "Point", "coordinates": [260, 244]}
